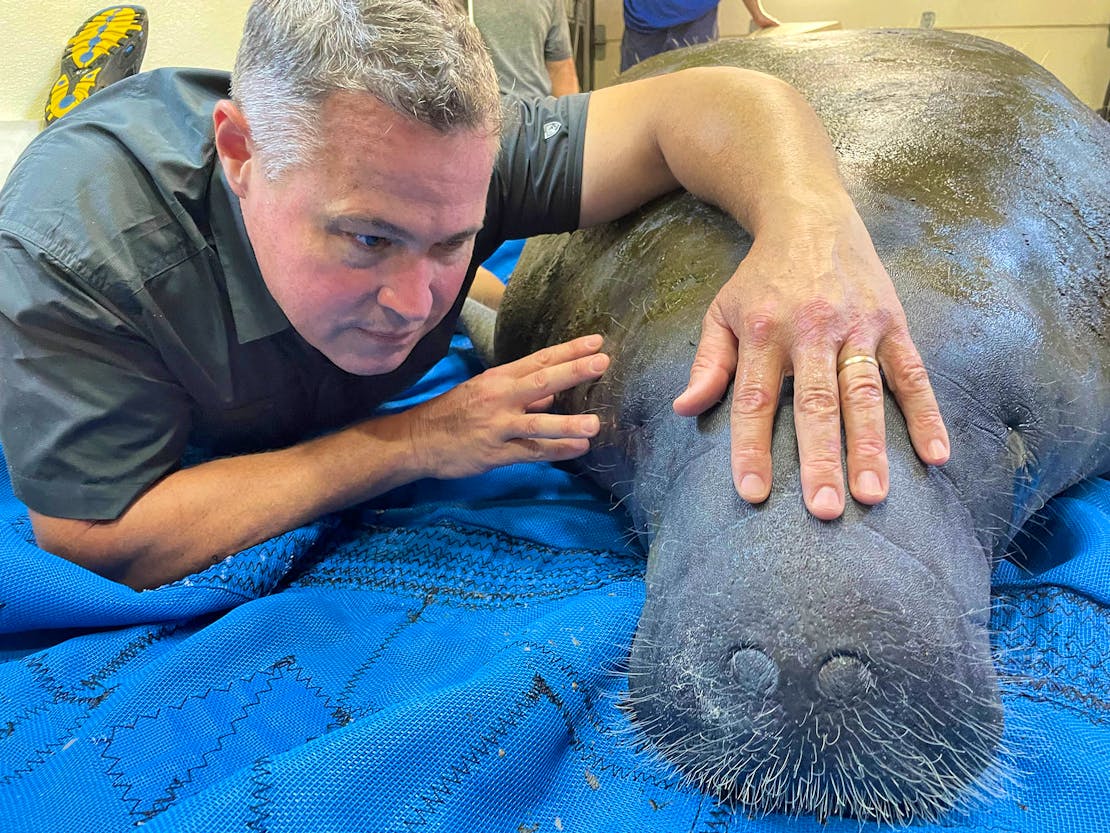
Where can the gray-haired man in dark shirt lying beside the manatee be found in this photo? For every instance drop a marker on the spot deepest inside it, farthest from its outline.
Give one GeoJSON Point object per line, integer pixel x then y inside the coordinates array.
{"type": "Point", "coordinates": [247, 279]}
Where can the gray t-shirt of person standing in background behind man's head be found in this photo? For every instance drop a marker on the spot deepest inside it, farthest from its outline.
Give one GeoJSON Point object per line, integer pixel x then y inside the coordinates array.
{"type": "Point", "coordinates": [523, 36]}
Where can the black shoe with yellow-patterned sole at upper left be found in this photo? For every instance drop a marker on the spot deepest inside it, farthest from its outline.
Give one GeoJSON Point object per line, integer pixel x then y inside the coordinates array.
{"type": "Point", "coordinates": [109, 46]}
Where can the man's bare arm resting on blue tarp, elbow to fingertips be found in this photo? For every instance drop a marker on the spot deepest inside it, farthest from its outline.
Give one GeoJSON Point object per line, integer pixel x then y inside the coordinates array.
{"type": "Point", "coordinates": [198, 516]}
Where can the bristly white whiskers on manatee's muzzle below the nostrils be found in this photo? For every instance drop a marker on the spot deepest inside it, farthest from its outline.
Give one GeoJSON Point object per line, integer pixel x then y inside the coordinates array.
{"type": "Point", "coordinates": [893, 756]}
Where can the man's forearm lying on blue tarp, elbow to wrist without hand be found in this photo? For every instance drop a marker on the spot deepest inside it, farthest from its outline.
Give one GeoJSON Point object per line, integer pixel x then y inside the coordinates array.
{"type": "Point", "coordinates": [197, 517]}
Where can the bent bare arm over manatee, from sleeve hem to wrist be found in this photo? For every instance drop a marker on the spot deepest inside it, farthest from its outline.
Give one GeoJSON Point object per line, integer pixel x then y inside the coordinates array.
{"type": "Point", "coordinates": [742, 140]}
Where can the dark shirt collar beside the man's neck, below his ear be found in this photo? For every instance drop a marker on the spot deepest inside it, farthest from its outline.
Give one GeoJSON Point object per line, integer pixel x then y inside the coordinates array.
{"type": "Point", "coordinates": [255, 312]}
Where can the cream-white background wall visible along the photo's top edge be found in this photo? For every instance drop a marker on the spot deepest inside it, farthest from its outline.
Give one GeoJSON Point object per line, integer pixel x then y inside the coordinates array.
{"type": "Point", "coordinates": [1068, 37]}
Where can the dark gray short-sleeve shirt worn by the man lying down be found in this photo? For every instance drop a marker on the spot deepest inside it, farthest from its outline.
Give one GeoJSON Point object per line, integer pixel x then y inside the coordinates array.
{"type": "Point", "coordinates": [135, 323]}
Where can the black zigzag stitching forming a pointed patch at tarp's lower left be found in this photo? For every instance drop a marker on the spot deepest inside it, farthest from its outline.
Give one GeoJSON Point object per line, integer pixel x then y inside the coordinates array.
{"type": "Point", "coordinates": [274, 673]}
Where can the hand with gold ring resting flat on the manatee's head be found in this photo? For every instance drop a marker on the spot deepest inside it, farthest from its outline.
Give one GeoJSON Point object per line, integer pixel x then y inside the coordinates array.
{"type": "Point", "coordinates": [809, 300]}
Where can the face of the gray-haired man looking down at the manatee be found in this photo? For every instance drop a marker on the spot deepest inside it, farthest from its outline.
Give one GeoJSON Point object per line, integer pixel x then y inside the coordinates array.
{"type": "Point", "coordinates": [367, 248]}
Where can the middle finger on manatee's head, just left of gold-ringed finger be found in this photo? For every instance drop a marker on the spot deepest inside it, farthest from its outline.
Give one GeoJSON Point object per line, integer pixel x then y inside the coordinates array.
{"type": "Point", "coordinates": [818, 424]}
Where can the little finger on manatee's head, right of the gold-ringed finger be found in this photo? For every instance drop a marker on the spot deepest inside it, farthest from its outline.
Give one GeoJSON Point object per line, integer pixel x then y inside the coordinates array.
{"type": "Point", "coordinates": [910, 382]}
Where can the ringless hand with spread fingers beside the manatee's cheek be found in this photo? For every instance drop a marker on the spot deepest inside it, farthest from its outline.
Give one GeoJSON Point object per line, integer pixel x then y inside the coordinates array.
{"type": "Point", "coordinates": [500, 417]}
